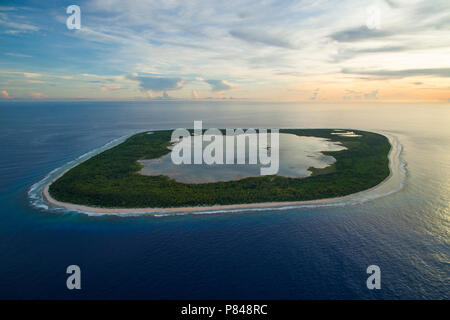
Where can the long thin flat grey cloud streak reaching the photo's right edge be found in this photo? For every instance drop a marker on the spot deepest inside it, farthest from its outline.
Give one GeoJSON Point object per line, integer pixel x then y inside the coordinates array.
{"type": "Point", "coordinates": [438, 72]}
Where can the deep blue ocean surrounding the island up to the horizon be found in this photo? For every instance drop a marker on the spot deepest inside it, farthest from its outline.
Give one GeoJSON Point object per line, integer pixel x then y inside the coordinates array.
{"type": "Point", "coordinates": [302, 253]}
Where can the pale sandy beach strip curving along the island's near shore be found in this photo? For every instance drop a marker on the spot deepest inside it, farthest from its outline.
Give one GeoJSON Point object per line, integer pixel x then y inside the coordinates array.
{"type": "Point", "coordinates": [99, 210]}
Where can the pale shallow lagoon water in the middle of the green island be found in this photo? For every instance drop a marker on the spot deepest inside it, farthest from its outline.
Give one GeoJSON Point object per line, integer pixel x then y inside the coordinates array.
{"type": "Point", "coordinates": [296, 155]}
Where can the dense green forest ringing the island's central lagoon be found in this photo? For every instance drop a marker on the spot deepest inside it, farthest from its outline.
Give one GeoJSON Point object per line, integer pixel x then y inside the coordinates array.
{"type": "Point", "coordinates": [110, 179]}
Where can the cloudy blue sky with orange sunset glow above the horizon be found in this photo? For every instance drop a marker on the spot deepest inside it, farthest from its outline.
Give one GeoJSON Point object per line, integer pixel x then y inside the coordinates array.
{"type": "Point", "coordinates": [310, 51]}
